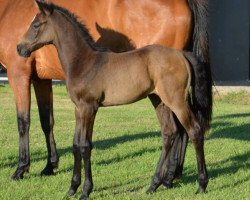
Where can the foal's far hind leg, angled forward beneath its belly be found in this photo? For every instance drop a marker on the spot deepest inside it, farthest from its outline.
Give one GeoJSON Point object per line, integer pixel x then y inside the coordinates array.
{"type": "Point", "coordinates": [167, 163]}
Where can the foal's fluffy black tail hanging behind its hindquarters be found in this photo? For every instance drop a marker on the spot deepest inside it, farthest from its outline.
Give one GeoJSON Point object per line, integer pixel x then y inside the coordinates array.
{"type": "Point", "coordinates": [200, 100]}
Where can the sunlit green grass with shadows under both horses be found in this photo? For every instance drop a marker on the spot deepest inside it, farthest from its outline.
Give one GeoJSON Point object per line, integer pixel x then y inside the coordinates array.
{"type": "Point", "coordinates": [127, 146]}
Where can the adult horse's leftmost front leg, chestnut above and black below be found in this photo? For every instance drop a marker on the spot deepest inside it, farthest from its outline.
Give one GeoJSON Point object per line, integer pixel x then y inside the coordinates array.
{"type": "Point", "coordinates": [20, 83]}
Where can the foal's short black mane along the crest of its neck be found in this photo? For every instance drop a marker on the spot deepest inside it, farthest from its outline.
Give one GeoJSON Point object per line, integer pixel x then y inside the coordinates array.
{"type": "Point", "coordinates": [80, 26]}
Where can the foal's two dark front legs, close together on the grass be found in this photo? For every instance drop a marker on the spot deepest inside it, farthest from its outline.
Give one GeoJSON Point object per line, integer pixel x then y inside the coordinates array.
{"type": "Point", "coordinates": [82, 146]}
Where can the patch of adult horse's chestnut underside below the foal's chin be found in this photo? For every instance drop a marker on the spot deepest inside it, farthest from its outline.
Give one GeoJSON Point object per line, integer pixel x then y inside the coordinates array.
{"type": "Point", "coordinates": [48, 65]}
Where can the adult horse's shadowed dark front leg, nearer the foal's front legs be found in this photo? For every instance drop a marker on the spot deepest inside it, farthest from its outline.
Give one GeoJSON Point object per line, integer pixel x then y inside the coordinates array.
{"type": "Point", "coordinates": [44, 96]}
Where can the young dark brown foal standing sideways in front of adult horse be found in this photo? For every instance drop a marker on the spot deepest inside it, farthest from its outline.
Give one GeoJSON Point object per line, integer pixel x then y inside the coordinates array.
{"type": "Point", "coordinates": [96, 78]}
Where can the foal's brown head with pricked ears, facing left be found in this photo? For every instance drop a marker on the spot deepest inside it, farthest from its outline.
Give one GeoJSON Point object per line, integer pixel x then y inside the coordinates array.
{"type": "Point", "coordinates": [40, 32]}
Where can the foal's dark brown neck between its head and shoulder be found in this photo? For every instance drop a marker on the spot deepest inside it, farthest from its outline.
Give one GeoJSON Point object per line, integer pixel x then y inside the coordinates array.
{"type": "Point", "coordinates": [71, 45]}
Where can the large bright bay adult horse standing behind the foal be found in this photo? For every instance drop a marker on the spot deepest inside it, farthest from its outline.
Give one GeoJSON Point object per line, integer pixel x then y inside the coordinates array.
{"type": "Point", "coordinates": [175, 23]}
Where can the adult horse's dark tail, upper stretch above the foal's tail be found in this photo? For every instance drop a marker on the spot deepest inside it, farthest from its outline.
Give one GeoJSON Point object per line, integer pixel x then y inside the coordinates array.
{"type": "Point", "coordinates": [199, 43]}
